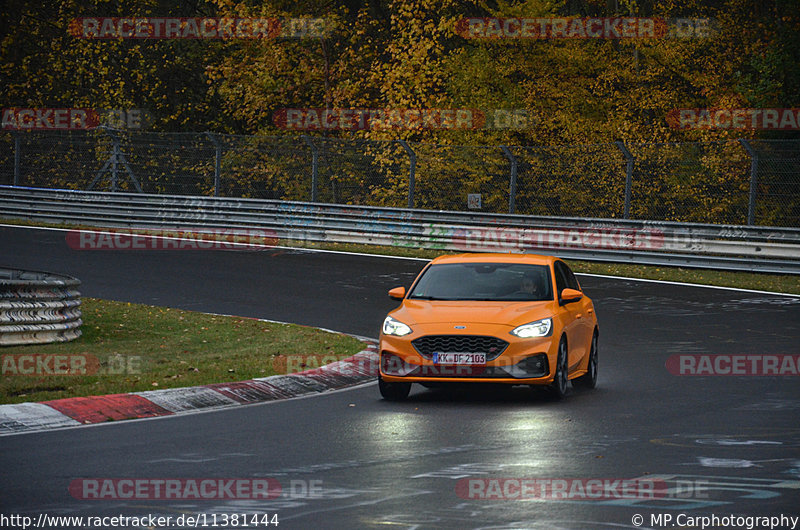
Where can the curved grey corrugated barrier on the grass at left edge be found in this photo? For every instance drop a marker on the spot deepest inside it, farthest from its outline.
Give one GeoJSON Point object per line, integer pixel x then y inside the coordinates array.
{"type": "Point", "coordinates": [38, 307]}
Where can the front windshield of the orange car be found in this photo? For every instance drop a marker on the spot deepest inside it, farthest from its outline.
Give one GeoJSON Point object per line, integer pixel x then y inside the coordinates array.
{"type": "Point", "coordinates": [484, 282]}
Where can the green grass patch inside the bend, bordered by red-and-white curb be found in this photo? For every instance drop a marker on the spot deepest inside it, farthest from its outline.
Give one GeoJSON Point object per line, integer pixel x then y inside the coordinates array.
{"type": "Point", "coordinates": [139, 347]}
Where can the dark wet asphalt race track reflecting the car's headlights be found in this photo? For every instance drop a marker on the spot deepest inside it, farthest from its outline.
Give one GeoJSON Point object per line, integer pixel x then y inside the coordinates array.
{"type": "Point", "coordinates": [396, 465]}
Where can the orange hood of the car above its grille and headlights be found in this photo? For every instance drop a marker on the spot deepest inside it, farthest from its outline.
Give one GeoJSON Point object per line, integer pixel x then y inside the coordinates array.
{"type": "Point", "coordinates": [467, 312]}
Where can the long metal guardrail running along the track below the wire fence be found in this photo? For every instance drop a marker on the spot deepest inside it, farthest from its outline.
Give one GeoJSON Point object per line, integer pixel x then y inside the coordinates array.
{"type": "Point", "coordinates": [729, 247]}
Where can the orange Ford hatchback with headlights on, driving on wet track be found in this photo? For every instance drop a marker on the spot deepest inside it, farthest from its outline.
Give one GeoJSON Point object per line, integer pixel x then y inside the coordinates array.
{"type": "Point", "coordinates": [517, 319]}
